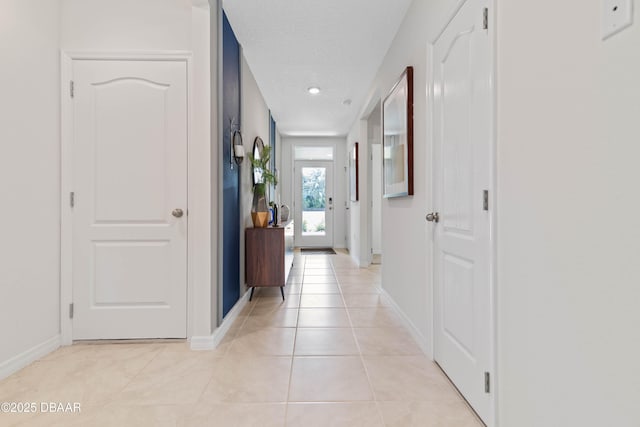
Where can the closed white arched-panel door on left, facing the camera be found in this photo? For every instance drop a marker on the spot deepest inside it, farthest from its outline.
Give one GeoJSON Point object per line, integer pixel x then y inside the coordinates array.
{"type": "Point", "coordinates": [130, 185]}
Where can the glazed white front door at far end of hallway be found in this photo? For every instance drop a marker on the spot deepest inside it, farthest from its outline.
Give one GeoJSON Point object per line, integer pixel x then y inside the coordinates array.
{"type": "Point", "coordinates": [314, 204]}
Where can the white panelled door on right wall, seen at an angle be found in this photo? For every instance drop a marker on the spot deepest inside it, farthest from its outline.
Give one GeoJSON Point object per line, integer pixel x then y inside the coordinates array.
{"type": "Point", "coordinates": [462, 246]}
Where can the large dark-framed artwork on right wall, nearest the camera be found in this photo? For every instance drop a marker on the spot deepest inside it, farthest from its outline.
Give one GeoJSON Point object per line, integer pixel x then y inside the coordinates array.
{"type": "Point", "coordinates": [397, 124]}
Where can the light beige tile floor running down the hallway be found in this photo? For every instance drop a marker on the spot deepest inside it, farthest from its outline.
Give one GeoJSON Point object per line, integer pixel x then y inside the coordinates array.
{"type": "Point", "coordinates": [333, 354]}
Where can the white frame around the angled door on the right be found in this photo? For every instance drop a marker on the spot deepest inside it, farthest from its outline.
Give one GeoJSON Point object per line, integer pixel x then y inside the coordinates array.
{"type": "Point", "coordinates": [493, 205]}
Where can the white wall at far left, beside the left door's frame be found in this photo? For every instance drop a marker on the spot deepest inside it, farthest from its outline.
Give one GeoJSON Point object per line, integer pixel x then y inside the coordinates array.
{"type": "Point", "coordinates": [29, 176]}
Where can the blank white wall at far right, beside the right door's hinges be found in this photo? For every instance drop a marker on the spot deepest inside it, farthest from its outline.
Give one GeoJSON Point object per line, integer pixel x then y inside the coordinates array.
{"type": "Point", "coordinates": [568, 235]}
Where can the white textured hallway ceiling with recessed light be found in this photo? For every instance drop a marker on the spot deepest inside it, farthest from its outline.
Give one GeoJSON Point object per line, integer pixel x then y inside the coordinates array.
{"type": "Point", "coordinates": [336, 45]}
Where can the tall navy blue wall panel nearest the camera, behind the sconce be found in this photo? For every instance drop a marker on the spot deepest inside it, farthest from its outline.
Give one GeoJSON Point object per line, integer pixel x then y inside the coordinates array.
{"type": "Point", "coordinates": [231, 176]}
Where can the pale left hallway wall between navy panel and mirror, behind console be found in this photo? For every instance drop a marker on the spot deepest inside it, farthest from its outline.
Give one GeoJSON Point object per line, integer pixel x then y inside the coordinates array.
{"type": "Point", "coordinates": [255, 122]}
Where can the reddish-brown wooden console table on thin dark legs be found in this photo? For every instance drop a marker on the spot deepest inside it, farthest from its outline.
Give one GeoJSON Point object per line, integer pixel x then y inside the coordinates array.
{"type": "Point", "coordinates": [268, 256]}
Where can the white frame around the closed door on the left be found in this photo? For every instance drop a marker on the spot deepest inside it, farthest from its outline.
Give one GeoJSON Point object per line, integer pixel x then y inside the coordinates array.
{"type": "Point", "coordinates": [66, 171]}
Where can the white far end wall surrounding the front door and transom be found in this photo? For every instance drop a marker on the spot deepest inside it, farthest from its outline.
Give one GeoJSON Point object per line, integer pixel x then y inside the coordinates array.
{"type": "Point", "coordinates": [340, 196]}
